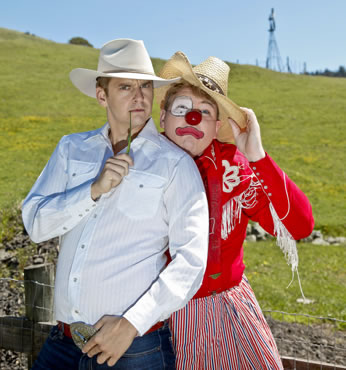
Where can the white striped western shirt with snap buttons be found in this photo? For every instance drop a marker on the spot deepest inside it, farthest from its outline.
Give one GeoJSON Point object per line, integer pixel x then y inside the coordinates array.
{"type": "Point", "coordinates": [111, 258]}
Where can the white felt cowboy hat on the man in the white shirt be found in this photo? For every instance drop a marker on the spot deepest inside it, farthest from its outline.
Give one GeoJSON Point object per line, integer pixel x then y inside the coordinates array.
{"type": "Point", "coordinates": [121, 58]}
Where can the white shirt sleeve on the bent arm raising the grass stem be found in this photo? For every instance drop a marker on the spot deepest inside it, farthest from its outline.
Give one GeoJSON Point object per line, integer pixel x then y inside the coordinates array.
{"type": "Point", "coordinates": [50, 209]}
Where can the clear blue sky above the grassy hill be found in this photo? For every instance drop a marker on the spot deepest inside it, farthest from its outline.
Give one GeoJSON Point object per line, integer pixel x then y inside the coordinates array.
{"type": "Point", "coordinates": [307, 31]}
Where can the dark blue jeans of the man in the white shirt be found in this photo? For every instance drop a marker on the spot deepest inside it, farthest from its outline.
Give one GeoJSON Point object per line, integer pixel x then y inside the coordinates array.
{"type": "Point", "coordinates": [152, 351]}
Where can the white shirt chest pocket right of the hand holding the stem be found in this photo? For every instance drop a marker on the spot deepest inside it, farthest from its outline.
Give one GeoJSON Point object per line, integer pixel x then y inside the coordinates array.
{"type": "Point", "coordinates": [140, 195]}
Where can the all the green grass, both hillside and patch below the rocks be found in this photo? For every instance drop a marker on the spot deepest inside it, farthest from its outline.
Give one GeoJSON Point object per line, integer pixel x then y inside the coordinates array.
{"type": "Point", "coordinates": [303, 122]}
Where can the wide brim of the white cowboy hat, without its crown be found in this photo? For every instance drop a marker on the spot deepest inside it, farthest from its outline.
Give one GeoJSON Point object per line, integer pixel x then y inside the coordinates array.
{"type": "Point", "coordinates": [85, 79]}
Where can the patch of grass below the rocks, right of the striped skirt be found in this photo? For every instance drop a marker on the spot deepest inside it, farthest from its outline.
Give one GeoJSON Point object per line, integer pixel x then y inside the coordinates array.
{"type": "Point", "coordinates": [322, 273]}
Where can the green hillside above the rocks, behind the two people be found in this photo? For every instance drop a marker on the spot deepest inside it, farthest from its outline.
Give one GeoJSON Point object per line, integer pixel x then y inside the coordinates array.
{"type": "Point", "coordinates": [303, 119]}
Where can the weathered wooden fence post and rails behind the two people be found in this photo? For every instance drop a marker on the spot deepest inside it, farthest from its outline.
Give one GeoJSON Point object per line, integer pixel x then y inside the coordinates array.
{"type": "Point", "coordinates": [27, 334]}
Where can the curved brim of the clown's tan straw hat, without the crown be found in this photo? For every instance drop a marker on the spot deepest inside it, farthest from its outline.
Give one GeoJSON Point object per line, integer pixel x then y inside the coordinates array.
{"type": "Point", "coordinates": [179, 66]}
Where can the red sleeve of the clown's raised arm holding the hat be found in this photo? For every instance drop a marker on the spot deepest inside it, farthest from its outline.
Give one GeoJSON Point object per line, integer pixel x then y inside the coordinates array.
{"type": "Point", "coordinates": [289, 202]}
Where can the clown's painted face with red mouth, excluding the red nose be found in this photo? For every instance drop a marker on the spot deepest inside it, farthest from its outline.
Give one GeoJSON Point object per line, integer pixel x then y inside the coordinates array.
{"type": "Point", "coordinates": [193, 138]}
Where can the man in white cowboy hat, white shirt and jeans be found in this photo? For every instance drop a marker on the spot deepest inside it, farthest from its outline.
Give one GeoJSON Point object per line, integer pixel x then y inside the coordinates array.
{"type": "Point", "coordinates": [119, 197]}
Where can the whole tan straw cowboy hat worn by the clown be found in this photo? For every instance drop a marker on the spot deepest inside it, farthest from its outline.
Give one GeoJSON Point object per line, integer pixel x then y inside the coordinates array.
{"type": "Point", "coordinates": [210, 76]}
